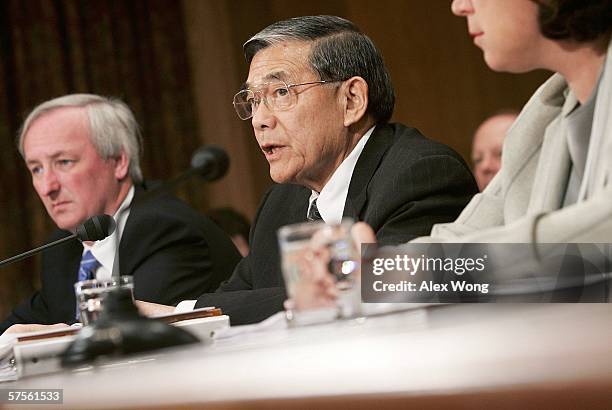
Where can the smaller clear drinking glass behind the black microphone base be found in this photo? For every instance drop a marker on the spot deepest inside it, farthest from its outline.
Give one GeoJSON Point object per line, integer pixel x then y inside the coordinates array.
{"type": "Point", "coordinates": [90, 295]}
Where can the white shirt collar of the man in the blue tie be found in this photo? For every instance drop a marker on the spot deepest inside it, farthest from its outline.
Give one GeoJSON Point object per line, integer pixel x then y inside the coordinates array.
{"type": "Point", "coordinates": [104, 251]}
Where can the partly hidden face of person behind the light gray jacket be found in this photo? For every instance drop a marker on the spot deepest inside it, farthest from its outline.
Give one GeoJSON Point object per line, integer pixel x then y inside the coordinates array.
{"type": "Point", "coordinates": [487, 146]}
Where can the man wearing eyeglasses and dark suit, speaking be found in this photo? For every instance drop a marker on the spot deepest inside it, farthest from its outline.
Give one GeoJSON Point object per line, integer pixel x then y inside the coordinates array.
{"type": "Point", "coordinates": [319, 98]}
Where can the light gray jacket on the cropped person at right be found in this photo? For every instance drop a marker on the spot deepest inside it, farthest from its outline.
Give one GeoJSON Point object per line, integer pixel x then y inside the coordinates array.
{"type": "Point", "coordinates": [523, 203]}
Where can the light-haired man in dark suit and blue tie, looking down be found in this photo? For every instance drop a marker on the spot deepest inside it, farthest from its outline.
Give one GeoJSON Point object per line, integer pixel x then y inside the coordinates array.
{"type": "Point", "coordinates": [83, 153]}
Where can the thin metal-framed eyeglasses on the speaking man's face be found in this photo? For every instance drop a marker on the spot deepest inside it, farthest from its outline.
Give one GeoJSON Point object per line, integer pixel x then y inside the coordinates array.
{"type": "Point", "coordinates": [277, 96]}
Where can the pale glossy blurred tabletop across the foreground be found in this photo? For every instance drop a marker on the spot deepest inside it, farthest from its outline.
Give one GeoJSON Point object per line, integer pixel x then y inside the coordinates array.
{"type": "Point", "coordinates": [454, 353]}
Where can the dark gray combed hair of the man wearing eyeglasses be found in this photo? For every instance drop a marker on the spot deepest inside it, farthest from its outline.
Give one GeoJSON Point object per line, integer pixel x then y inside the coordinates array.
{"type": "Point", "coordinates": [340, 51]}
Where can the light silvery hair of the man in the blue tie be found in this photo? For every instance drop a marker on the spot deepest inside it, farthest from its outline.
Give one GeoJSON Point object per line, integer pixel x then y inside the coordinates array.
{"type": "Point", "coordinates": [112, 125]}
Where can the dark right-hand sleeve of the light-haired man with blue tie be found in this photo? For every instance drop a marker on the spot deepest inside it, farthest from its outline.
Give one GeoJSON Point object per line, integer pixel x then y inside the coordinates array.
{"type": "Point", "coordinates": [180, 253]}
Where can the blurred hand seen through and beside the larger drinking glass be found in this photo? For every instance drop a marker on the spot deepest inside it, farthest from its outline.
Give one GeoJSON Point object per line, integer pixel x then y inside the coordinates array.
{"type": "Point", "coordinates": [317, 287]}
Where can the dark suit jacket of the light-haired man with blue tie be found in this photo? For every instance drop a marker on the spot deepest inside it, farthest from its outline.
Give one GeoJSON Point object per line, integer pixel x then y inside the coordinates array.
{"type": "Point", "coordinates": [173, 252]}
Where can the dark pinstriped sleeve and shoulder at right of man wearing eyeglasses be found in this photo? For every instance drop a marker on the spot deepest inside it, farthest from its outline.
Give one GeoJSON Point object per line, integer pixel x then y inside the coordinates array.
{"type": "Point", "coordinates": [406, 183]}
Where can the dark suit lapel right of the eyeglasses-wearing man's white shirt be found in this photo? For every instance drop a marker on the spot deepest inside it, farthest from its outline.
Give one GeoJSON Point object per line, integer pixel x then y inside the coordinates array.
{"type": "Point", "coordinates": [369, 160]}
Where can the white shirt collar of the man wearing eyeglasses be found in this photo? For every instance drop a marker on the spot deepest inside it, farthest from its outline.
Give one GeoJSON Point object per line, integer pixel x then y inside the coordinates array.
{"type": "Point", "coordinates": [332, 198]}
